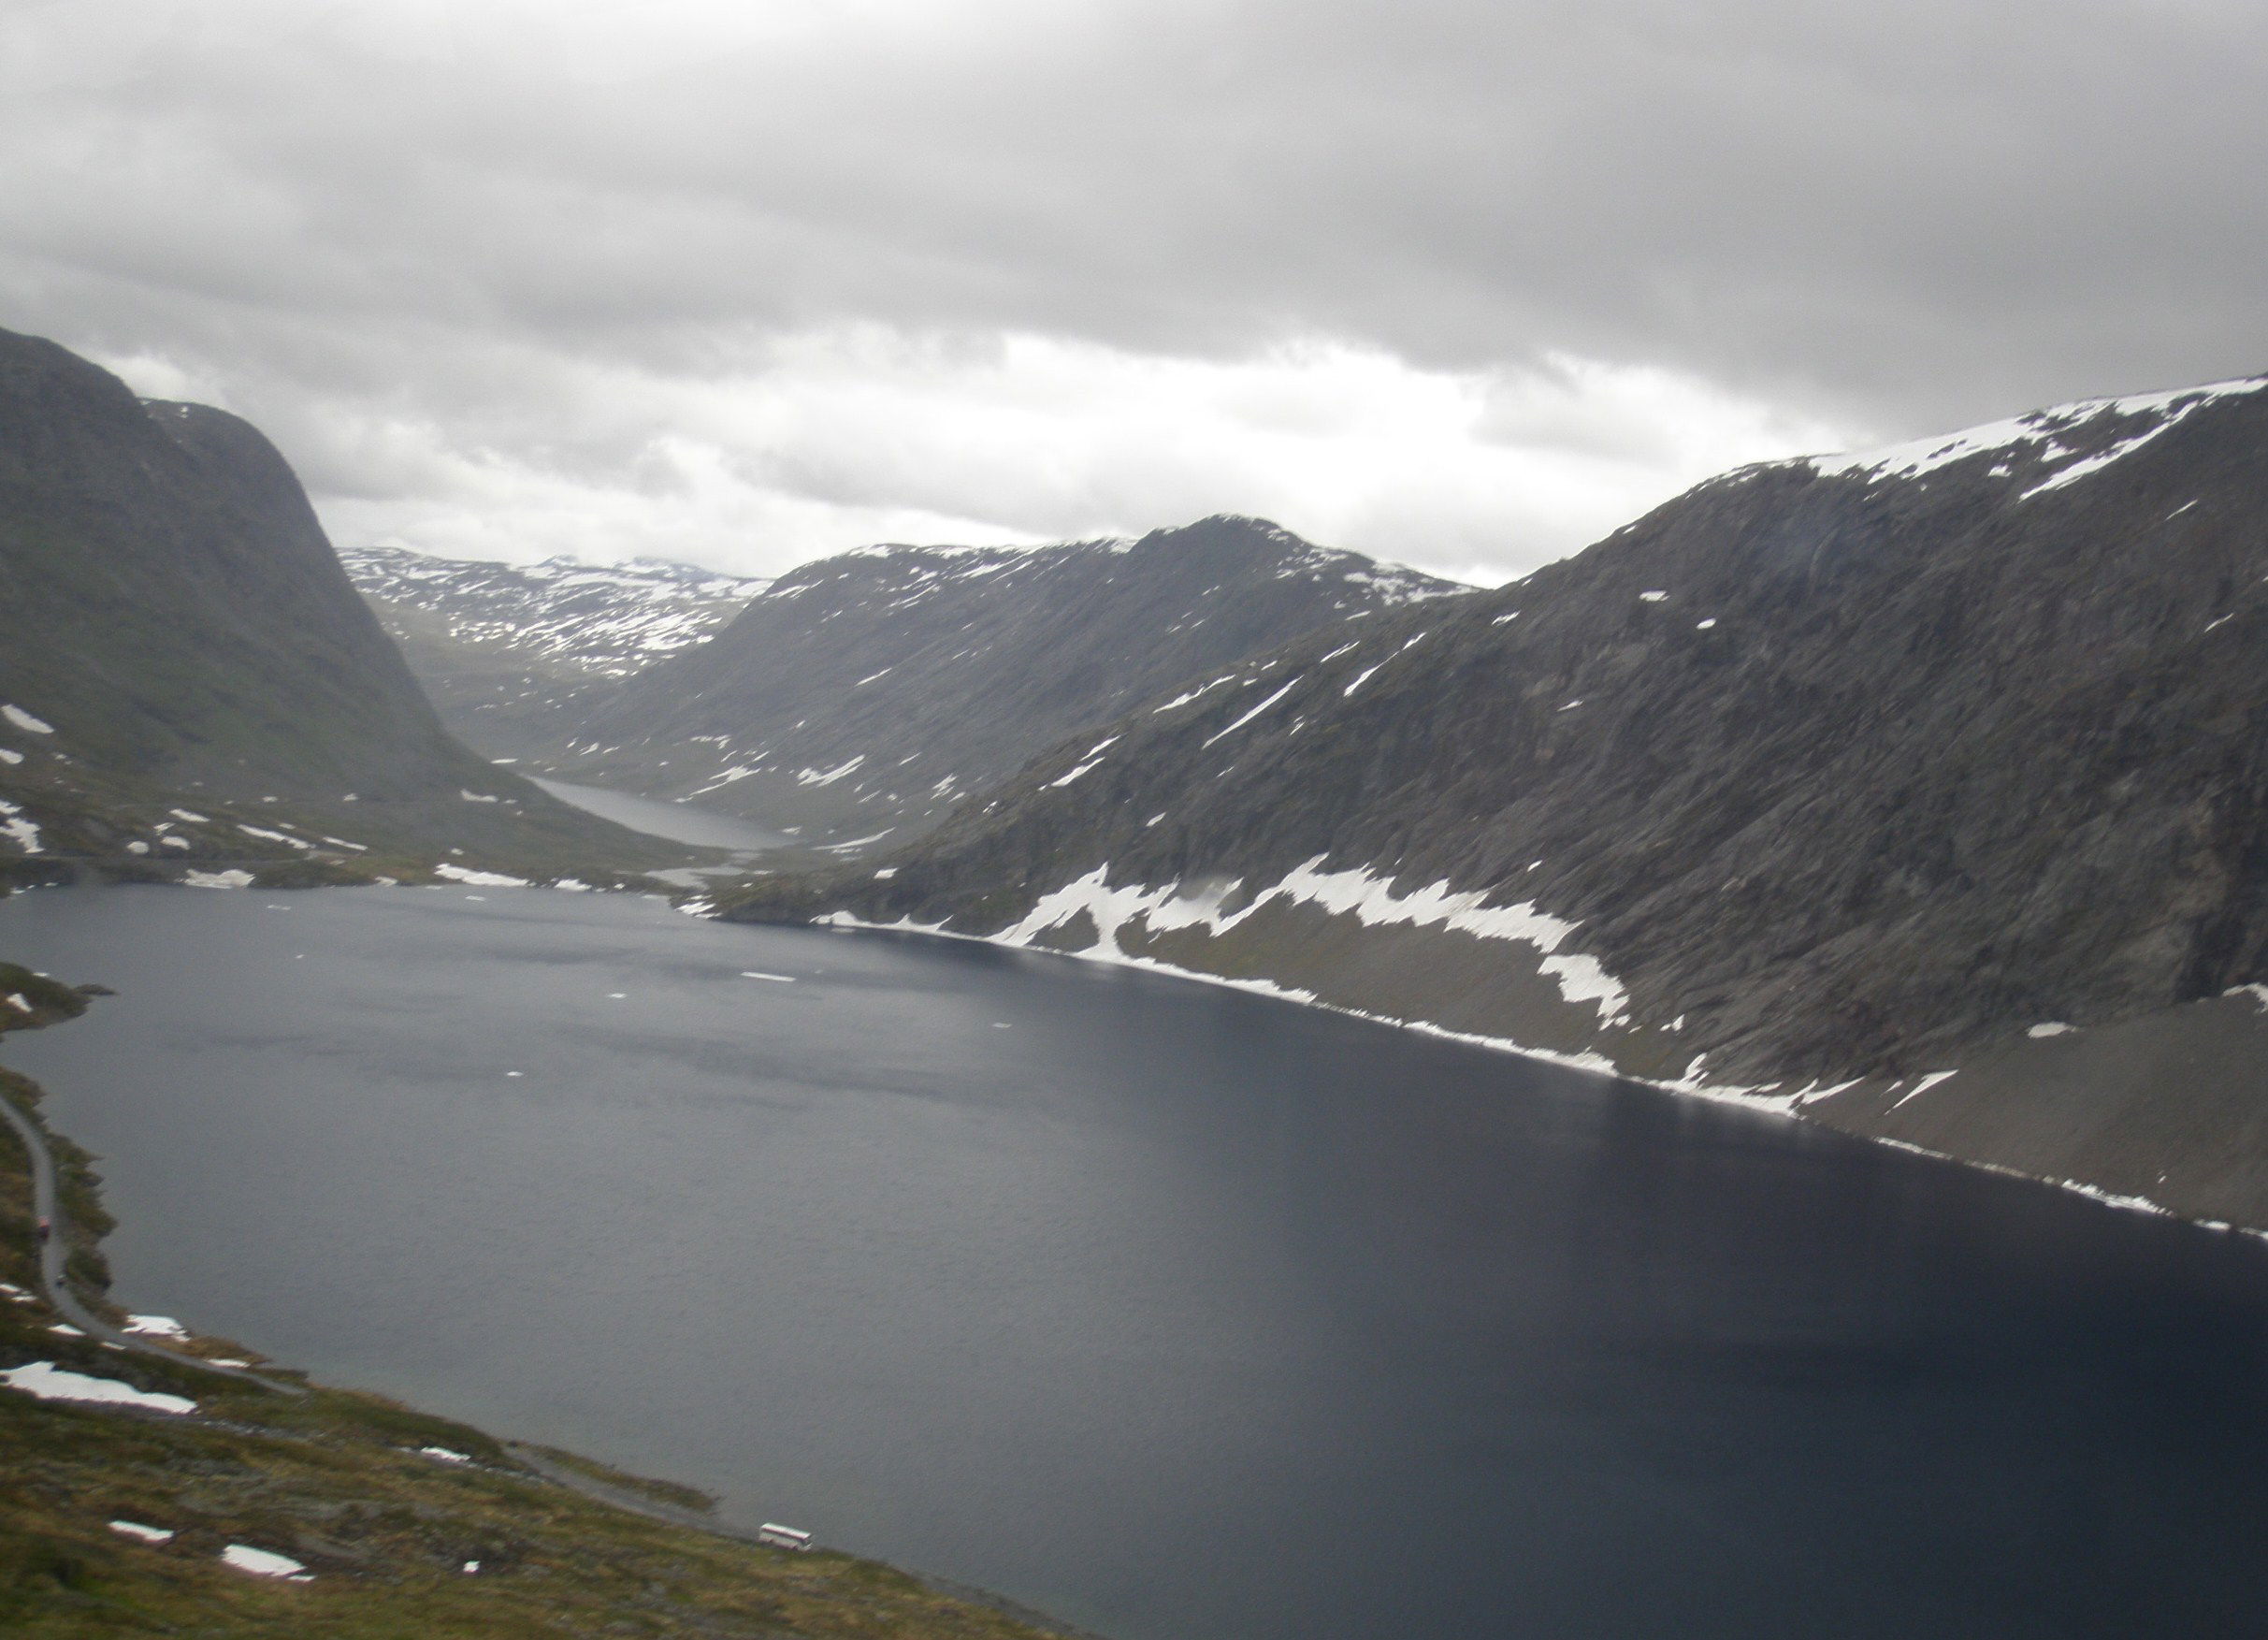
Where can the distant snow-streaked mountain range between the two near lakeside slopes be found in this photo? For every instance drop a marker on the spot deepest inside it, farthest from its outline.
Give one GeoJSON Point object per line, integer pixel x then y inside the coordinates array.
{"type": "Point", "coordinates": [865, 695]}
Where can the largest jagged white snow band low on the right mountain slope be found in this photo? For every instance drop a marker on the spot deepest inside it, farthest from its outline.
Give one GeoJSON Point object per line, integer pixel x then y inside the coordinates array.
{"type": "Point", "coordinates": [1360, 893]}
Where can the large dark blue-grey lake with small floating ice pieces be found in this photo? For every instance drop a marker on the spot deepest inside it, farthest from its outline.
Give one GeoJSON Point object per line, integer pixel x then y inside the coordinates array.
{"type": "Point", "coordinates": [1176, 1312]}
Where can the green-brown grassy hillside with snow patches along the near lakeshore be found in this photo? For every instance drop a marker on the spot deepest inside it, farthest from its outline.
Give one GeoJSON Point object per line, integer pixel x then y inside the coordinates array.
{"type": "Point", "coordinates": [380, 1505]}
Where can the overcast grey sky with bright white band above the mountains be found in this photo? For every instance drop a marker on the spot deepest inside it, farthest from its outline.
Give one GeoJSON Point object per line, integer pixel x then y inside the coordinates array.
{"type": "Point", "coordinates": [1464, 282]}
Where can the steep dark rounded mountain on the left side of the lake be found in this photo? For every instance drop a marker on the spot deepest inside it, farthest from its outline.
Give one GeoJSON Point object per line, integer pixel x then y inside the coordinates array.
{"type": "Point", "coordinates": [189, 677]}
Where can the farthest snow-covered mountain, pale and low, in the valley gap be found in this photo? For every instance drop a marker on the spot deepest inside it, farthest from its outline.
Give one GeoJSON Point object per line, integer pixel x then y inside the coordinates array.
{"type": "Point", "coordinates": [505, 650]}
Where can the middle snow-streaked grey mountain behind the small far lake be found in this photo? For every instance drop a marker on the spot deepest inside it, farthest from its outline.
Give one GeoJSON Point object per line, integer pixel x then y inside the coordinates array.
{"type": "Point", "coordinates": [872, 693]}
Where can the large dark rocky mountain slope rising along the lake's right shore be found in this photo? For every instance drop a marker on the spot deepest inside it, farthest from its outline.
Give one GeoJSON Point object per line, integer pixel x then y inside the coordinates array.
{"type": "Point", "coordinates": [1816, 786]}
